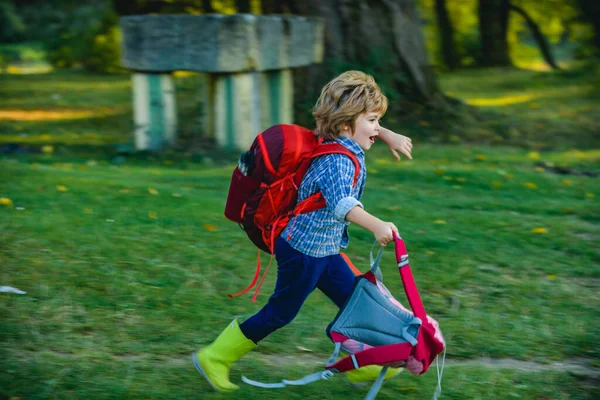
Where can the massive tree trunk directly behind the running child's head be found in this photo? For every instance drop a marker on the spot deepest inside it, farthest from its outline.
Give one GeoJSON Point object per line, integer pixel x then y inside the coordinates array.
{"type": "Point", "coordinates": [381, 37]}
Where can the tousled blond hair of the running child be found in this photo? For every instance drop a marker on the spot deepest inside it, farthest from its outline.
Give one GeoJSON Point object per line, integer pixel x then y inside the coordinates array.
{"type": "Point", "coordinates": [343, 99]}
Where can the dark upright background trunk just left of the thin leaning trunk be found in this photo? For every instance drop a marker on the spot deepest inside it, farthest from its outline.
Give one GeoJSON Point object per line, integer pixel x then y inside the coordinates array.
{"type": "Point", "coordinates": [493, 26]}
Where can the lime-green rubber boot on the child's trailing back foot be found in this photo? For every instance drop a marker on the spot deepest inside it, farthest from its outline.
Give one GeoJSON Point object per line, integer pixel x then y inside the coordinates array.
{"type": "Point", "coordinates": [215, 360]}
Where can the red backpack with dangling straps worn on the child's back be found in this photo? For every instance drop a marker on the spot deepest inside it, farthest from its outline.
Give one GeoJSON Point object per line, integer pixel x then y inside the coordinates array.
{"type": "Point", "coordinates": [264, 187]}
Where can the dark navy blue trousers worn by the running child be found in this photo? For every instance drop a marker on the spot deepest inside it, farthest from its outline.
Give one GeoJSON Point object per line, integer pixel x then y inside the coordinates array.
{"type": "Point", "coordinates": [297, 276]}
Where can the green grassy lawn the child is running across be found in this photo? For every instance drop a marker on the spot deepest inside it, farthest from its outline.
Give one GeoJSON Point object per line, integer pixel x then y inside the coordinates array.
{"type": "Point", "coordinates": [127, 260]}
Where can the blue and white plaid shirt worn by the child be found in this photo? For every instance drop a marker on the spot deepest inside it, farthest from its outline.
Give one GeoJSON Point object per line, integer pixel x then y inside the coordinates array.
{"type": "Point", "coordinates": [323, 232]}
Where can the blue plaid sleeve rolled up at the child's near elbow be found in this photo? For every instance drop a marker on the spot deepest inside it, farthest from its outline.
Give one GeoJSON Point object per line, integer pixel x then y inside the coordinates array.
{"type": "Point", "coordinates": [336, 176]}
